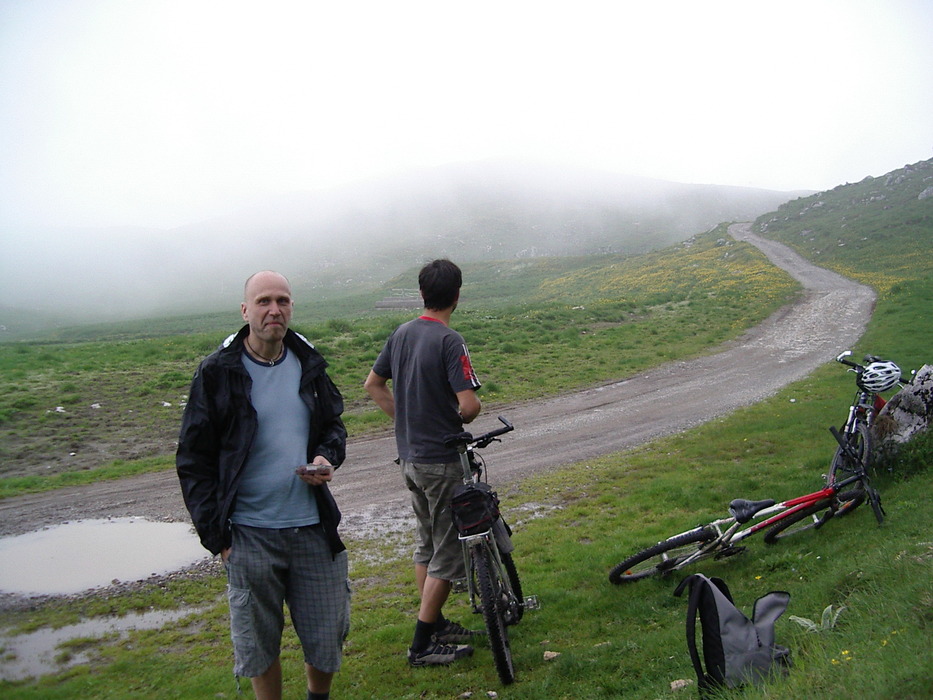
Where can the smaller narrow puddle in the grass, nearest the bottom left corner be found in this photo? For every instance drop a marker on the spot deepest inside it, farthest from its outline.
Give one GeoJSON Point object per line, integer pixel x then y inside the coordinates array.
{"type": "Point", "coordinates": [37, 653]}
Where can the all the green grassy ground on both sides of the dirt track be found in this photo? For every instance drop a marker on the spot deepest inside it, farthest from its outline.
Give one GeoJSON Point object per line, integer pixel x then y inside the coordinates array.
{"type": "Point", "coordinates": [528, 326]}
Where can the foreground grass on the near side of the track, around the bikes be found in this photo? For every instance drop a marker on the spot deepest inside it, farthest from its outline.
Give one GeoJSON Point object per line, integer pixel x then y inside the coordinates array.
{"type": "Point", "coordinates": [571, 526]}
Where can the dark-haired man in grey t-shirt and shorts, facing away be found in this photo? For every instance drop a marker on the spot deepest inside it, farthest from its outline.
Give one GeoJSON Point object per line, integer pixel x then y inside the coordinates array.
{"type": "Point", "coordinates": [433, 394]}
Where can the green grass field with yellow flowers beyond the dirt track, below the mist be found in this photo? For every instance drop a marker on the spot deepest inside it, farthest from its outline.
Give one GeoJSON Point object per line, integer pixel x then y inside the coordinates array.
{"type": "Point", "coordinates": [82, 409]}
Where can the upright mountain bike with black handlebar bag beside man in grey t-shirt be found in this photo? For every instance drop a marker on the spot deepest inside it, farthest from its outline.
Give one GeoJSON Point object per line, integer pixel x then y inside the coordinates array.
{"type": "Point", "coordinates": [492, 581]}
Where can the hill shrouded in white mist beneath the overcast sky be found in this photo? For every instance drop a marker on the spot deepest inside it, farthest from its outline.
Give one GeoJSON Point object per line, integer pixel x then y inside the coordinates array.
{"type": "Point", "coordinates": [357, 236]}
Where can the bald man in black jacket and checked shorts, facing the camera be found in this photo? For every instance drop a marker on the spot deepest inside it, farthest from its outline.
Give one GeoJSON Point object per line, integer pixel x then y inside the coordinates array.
{"type": "Point", "coordinates": [260, 438]}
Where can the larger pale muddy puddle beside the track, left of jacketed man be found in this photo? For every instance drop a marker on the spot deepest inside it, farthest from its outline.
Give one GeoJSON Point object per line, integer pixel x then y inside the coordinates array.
{"type": "Point", "coordinates": [85, 554]}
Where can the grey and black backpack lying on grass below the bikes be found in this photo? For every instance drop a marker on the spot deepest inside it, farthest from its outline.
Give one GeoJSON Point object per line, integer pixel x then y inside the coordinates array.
{"type": "Point", "coordinates": [736, 650]}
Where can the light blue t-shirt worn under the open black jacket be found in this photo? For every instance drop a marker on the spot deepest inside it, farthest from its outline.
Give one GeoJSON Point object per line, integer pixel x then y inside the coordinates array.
{"type": "Point", "coordinates": [270, 494]}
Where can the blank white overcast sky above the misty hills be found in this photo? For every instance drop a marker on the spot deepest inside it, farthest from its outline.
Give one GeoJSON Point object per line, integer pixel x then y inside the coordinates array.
{"type": "Point", "coordinates": [160, 112]}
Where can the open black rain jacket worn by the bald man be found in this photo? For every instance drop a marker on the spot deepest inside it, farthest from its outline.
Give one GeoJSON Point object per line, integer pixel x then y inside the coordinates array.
{"type": "Point", "coordinates": [217, 432]}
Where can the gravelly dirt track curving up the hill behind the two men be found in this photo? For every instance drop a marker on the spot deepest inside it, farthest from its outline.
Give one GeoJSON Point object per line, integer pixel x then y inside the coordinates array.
{"type": "Point", "coordinates": [829, 317]}
